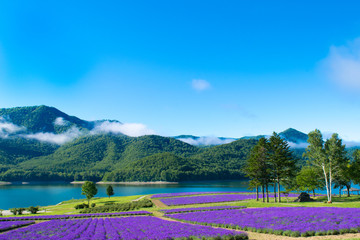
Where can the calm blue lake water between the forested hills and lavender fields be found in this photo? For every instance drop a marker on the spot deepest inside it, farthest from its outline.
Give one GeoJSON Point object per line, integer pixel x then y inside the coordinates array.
{"type": "Point", "coordinates": [40, 194]}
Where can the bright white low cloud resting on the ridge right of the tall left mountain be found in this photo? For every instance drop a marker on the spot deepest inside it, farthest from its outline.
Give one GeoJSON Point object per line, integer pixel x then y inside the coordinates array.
{"type": "Point", "coordinates": [129, 129]}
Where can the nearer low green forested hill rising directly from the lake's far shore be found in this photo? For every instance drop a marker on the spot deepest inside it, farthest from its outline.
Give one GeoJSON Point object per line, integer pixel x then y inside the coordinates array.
{"type": "Point", "coordinates": [125, 158]}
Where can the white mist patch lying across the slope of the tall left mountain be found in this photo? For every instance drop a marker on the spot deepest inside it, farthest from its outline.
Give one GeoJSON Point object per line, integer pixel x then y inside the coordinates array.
{"type": "Point", "coordinates": [61, 138]}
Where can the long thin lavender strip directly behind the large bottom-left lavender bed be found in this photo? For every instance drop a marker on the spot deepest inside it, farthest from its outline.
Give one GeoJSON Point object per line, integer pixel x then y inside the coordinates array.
{"type": "Point", "coordinates": [87, 215]}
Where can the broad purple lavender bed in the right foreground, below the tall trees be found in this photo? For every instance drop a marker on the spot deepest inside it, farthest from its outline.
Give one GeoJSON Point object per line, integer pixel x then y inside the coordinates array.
{"type": "Point", "coordinates": [288, 221]}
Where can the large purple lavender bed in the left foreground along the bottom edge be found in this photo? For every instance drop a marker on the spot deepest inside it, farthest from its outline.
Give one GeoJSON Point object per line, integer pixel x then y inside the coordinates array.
{"type": "Point", "coordinates": [141, 227]}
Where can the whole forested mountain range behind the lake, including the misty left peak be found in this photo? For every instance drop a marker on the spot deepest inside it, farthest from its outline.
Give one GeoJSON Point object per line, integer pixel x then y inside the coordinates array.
{"type": "Point", "coordinates": [94, 155]}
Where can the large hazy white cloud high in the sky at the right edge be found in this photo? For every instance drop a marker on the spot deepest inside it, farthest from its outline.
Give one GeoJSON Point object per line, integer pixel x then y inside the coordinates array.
{"type": "Point", "coordinates": [342, 65]}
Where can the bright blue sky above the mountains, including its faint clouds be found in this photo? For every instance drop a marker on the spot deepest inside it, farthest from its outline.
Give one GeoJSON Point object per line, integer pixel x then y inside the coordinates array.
{"type": "Point", "coordinates": [222, 68]}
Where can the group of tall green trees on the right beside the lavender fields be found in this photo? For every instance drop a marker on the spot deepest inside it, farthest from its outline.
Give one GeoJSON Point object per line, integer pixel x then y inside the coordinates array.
{"type": "Point", "coordinates": [272, 163]}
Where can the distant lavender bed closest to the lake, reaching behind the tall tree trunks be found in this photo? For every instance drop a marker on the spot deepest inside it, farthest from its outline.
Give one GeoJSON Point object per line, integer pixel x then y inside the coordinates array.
{"type": "Point", "coordinates": [211, 199]}
